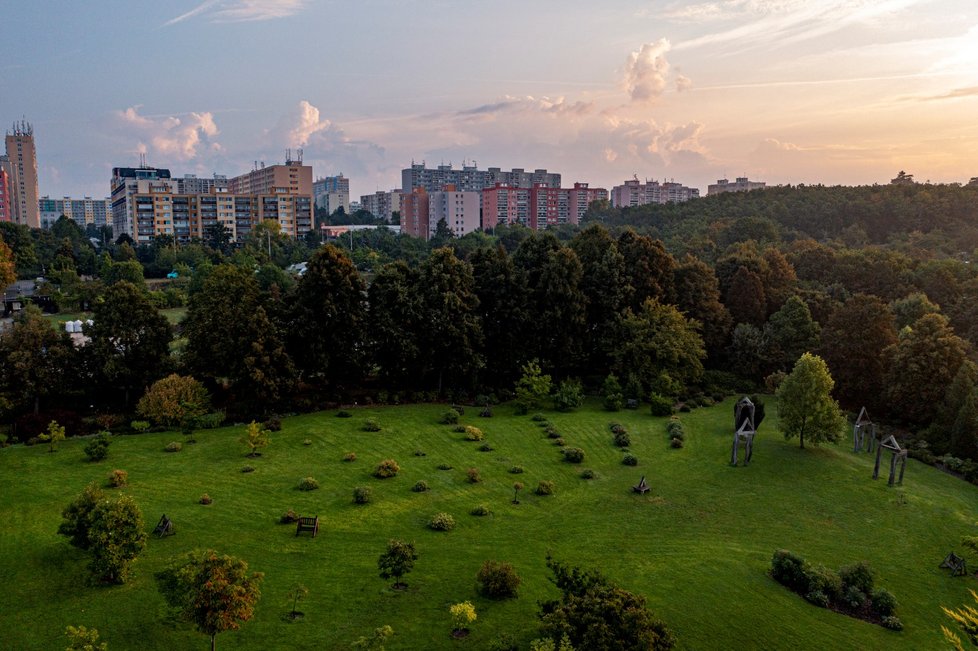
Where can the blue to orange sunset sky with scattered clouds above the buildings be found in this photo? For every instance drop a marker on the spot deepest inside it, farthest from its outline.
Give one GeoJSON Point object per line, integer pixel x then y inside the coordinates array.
{"type": "Point", "coordinates": [785, 91]}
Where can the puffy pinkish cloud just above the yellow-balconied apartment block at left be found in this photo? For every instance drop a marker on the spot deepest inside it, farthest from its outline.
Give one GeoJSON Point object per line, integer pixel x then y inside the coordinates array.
{"type": "Point", "coordinates": [173, 137]}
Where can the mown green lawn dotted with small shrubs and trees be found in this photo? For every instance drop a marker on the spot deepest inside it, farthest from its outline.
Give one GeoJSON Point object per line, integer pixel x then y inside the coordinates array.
{"type": "Point", "coordinates": [698, 546]}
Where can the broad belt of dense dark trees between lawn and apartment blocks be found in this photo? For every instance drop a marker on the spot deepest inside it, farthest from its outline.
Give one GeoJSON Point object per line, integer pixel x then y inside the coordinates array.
{"type": "Point", "coordinates": [679, 302]}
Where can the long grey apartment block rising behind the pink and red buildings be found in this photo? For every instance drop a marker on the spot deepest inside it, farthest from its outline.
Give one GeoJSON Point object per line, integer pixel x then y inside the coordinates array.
{"type": "Point", "coordinates": [470, 178]}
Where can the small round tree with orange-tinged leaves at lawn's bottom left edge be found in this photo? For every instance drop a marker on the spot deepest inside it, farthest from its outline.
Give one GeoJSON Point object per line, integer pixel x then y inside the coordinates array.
{"type": "Point", "coordinates": [215, 593]}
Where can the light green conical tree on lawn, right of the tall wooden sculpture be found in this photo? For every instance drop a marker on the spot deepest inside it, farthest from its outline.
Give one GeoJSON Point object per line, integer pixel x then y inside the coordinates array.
{"type": "Point", "coordinates": [805, 404]}
